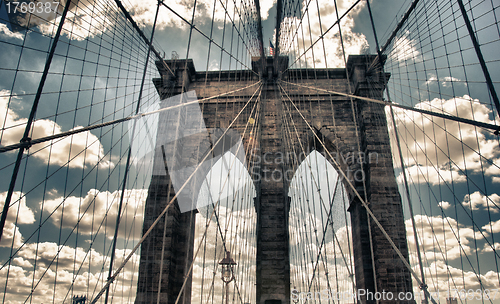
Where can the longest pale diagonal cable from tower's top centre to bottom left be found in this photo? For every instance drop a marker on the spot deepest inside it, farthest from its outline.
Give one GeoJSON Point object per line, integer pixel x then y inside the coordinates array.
{"type": "Point", "coordinates": [170, 203]}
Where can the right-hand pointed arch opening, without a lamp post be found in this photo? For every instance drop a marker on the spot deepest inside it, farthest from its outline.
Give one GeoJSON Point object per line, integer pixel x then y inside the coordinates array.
{"type": "Point", "coordinates": [321, 263]}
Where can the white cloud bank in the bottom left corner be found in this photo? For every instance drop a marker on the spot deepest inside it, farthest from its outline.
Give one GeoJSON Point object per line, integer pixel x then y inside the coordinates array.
{"type": "Point", "coordinates": [62, 270]}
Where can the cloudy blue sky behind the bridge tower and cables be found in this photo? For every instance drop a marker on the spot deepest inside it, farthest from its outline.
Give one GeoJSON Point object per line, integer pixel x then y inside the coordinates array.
{"type": "Point", "coordinates": [70, 187]}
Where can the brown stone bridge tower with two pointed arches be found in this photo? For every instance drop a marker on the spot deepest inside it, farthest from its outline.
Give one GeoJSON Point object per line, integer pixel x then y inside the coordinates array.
{"type": "Point", "coordinates": [170, 246]}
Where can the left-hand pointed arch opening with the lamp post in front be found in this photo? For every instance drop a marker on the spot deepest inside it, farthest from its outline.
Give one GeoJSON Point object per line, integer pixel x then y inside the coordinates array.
{"type": "Point", "coordinates": [226, 221]}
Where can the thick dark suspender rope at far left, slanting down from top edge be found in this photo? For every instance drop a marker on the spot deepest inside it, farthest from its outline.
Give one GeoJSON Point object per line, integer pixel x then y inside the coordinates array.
{"type": "Point", "coordinates": [29, 123]}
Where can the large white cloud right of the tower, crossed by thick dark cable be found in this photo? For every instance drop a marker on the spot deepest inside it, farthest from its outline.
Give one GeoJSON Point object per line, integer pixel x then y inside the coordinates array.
{"type": "Point", "coordinates": [440, 150]}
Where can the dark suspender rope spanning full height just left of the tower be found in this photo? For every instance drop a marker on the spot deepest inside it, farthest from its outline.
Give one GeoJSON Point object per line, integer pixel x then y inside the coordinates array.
{"type": "Point", "coordinates": [129, 155]}
